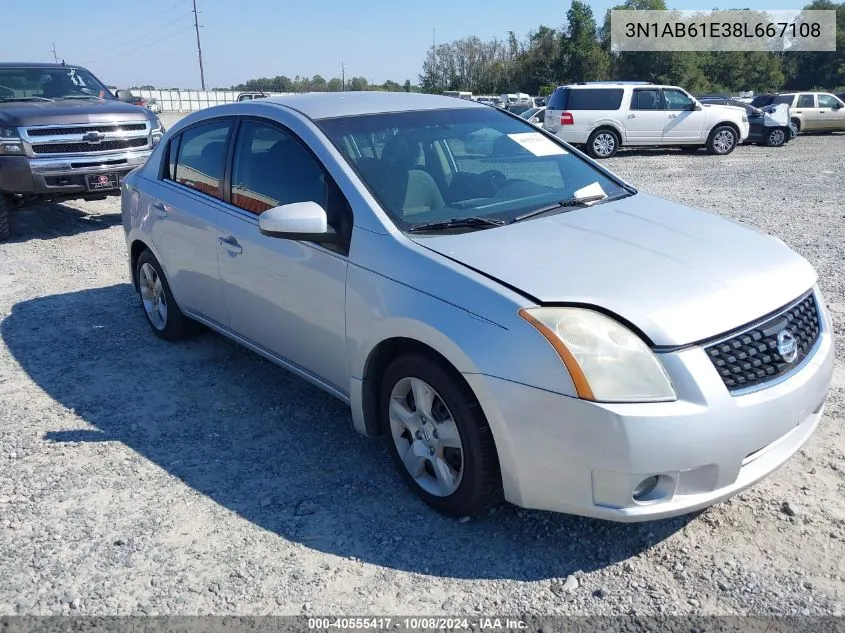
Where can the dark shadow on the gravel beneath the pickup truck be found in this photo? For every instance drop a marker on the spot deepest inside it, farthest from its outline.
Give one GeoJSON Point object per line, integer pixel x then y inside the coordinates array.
{"type": "Point", "coordinates": [48, 220]}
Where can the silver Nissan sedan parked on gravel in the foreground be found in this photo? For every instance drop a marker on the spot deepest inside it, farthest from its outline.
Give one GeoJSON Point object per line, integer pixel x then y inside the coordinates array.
{"type": "Point", "coordinates": [514, 319]}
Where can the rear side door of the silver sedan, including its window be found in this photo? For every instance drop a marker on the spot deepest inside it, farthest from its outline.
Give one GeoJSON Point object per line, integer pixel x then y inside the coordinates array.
{"type": "Point", "coordinates": [182, 213]}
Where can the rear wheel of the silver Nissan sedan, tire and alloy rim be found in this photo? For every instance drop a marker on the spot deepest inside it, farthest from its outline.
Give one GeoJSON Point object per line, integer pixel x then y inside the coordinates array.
{"type": "Point", "coordinates": [159, 306]}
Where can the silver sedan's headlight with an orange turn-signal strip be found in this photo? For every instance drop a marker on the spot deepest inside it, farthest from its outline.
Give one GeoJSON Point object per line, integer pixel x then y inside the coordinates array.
{"type": "Point", "coordinates": [607, 362]}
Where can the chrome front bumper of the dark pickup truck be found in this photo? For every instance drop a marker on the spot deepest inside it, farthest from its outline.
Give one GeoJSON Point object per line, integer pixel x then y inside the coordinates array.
{"type": "Point", "coordinates": [65, 176]}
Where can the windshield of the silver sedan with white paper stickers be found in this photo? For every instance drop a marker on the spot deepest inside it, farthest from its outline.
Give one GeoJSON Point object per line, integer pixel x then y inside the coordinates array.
{"type": "Point", "coordinates": [438, 165]}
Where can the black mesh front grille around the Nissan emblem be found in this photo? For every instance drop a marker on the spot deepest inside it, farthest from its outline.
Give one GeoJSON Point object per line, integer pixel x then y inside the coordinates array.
{"type": "Point", "coordinates": [751, 357]}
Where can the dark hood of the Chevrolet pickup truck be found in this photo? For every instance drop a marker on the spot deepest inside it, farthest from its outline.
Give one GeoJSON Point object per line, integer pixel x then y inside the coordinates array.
{"type": "Point", "coordinates": [68, 112]}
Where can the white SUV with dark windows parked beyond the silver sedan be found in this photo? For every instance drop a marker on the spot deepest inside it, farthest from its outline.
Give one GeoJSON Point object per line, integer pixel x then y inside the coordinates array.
{"type": "Point", "coordinates": [606, 116]}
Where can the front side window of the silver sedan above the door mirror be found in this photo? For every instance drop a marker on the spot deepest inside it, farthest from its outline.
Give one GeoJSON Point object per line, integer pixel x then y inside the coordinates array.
{"type": "Point", "coordinates": [271, 168]}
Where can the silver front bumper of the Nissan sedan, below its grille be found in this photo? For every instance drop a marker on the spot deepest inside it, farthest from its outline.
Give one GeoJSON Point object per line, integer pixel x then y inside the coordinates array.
{"type": "Point", "coordinates": [563, 454]}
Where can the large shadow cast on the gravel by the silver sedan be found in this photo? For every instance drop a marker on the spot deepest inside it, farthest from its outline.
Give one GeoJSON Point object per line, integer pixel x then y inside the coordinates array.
{"type": "Point", "coordinates": [277, 451]}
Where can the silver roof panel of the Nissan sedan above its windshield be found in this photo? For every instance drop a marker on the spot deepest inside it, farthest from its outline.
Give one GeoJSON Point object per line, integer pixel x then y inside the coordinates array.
{"type": "Point", "coordinates": [324, 105]}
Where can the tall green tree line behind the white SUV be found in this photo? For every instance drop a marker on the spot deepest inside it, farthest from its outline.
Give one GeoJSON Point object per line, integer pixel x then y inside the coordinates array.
{"type": "Point", "coordinates": [580, 51]}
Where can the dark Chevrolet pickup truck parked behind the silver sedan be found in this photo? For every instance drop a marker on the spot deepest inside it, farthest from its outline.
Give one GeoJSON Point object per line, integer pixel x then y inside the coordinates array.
{"type": "Point", "coordinates": [64, 135]}
